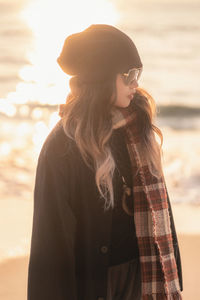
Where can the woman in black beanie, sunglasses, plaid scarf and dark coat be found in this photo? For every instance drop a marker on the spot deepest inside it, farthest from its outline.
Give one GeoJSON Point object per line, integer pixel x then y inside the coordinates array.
{"type": "Point", "coordinates": [103, 227]}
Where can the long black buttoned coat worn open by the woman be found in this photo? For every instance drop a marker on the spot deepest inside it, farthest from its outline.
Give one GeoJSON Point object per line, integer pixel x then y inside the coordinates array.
{"type": "Point", "coordinates": [71, 231]}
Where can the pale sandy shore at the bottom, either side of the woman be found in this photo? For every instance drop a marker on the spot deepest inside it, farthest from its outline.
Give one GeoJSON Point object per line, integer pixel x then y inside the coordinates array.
{"type": "Point", "coordinates": [14, 269]}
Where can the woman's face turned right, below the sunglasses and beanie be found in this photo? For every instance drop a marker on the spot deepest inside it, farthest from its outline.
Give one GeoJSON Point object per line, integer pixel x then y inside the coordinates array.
{"type": "Point", "coordinates": [124, 93]}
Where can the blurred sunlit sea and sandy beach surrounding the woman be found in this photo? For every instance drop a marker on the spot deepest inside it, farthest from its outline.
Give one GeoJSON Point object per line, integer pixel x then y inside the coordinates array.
{"type": "Point", "coordinates": [32, 86]}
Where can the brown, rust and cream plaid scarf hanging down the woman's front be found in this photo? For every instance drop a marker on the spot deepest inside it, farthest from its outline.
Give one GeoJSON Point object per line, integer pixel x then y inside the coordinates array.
{"type": "Point", "coordinates": [159, 274]}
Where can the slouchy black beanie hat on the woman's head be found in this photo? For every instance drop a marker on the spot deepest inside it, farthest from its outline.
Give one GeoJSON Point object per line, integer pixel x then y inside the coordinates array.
{"type": "Point", "coordinates": [97, 53]}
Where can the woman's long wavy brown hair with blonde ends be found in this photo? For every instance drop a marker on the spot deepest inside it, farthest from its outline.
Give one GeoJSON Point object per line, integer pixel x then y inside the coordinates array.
{"type": "Point", "coordinates": [87, 119]}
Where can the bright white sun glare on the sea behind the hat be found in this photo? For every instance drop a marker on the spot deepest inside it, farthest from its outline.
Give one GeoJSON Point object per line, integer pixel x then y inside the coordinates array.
{"type": "Point", "coordinates": [42, 81]}
